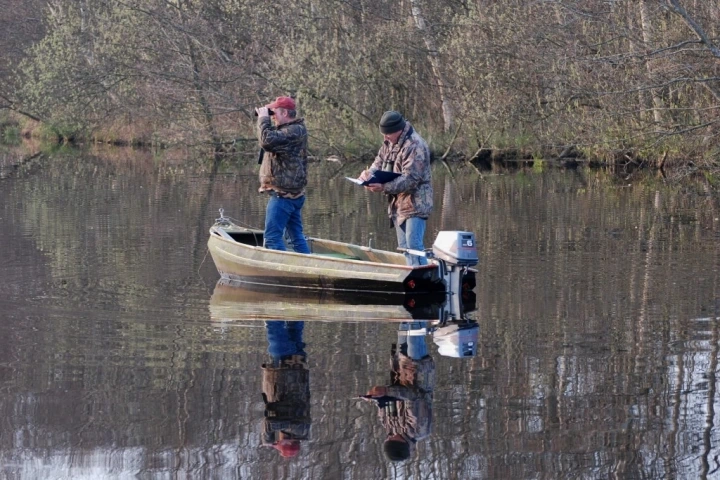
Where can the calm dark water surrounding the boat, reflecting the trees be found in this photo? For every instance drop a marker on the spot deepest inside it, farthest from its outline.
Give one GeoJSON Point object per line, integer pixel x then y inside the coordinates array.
{"type": "Point", "coordinates": [597, 303]}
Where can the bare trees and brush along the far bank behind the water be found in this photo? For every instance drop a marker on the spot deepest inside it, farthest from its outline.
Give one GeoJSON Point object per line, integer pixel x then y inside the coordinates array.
{"type": "Point", "coordinates": [627, 81]}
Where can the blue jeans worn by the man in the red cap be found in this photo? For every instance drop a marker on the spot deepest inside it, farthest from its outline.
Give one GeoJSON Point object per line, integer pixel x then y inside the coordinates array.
{"type": "Point", "coordinates": [284, 216]}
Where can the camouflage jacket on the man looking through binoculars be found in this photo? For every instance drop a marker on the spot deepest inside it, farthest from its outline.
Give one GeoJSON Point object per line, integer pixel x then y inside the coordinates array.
{"type": "Point", "coordinates": [284, 165]}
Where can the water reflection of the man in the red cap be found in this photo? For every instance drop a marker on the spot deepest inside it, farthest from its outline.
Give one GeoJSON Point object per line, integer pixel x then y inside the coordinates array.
{"type": "Point", "coordinates": [286, 389]}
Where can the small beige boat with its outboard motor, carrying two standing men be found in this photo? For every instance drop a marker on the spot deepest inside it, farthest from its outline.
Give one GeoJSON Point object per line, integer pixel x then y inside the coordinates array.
{"type": "Point", "coordinates": [239, 255]}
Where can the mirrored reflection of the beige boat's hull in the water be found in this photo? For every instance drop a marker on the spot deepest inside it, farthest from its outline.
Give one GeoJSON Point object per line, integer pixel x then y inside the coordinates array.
{"type": "Point", "coordinates": [233, 301]}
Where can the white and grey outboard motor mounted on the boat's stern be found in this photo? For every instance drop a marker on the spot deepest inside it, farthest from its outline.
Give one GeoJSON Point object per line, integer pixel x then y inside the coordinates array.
{"type": "Point", "coordinates": [455, 252]}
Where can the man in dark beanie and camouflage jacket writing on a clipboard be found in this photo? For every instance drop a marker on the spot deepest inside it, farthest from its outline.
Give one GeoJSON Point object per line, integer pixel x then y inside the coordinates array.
{"type": "Point", "coordinates": [401, 170]}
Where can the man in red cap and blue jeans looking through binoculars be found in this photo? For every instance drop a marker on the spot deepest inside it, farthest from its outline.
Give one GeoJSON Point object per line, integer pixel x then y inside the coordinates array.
{"type": "Point", "coordinates": [283, 173]}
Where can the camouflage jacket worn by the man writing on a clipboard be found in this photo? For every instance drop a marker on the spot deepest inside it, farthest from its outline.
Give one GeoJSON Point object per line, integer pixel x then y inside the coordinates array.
{"type": "Point", "coordinates": [411, 193]}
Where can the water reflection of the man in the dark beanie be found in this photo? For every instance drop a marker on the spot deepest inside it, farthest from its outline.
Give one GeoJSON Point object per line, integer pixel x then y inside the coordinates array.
{"type": "Point", "coordinates": [405, 405]}
